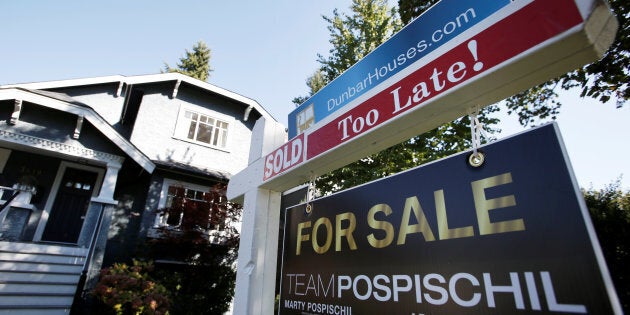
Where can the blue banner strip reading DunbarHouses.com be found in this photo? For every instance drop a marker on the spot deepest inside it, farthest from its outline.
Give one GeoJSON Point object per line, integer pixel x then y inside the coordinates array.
{"type": "Point", "coordinates": [437, 26]}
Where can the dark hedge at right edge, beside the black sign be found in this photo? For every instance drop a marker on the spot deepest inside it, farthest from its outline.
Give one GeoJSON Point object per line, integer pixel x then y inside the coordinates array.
{"type": "Point", "coordinates": [610, 212]}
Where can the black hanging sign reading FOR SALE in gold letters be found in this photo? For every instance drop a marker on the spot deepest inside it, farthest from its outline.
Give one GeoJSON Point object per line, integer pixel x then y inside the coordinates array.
{"type": "Point", "coordinates": [512, 236]}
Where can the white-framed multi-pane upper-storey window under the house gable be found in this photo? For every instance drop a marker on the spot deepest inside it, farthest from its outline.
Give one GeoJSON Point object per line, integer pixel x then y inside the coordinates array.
{"type": "Point", "coordinates": [201, 128]}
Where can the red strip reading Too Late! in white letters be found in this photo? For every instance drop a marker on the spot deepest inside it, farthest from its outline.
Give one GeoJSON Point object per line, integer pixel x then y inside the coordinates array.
{"type": "Point", "coordinates": [522, 30]}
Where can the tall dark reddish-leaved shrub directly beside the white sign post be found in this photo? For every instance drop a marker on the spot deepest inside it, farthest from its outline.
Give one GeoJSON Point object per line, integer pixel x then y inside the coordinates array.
{"type": "Point", "coordinates": [205, 244]}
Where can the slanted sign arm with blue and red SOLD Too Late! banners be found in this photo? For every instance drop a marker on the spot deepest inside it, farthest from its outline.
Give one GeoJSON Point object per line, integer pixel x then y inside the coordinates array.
{"type": "Point", "coordinates": [487, 50]}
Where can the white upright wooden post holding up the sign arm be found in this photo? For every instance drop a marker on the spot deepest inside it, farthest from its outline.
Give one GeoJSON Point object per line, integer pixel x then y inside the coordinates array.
{"type": "Point", "coordinates": [258, 250]}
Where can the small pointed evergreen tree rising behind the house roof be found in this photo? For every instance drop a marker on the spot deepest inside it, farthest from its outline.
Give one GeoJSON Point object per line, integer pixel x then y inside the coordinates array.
{"type": "Point", "coordinates": [195, 64]}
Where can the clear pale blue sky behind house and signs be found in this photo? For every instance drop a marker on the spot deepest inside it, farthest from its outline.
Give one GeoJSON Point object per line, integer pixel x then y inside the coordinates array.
{"type": "Point", "coordinates": [261, 49]}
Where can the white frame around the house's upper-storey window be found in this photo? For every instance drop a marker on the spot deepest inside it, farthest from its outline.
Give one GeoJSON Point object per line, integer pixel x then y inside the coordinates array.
{"type": "Point", "coordinates": [183, 124]}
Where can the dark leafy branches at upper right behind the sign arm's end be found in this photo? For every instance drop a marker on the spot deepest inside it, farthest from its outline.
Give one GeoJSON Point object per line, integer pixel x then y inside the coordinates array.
{"type": "Point", "coordinates": [604, 80]}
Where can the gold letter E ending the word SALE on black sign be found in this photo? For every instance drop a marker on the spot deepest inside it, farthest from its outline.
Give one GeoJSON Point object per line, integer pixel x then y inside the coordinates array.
{"type": "Point", "coordinates": [483, 206]}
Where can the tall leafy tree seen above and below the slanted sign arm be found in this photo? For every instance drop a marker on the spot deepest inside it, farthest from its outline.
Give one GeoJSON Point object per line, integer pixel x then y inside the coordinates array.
{"type": "Point", "coordinates": [352, 37]}
